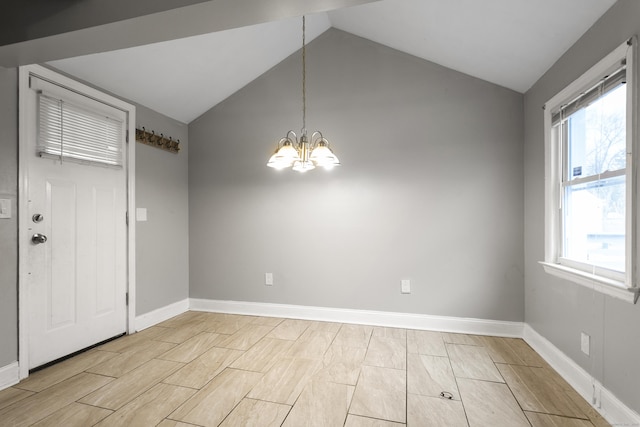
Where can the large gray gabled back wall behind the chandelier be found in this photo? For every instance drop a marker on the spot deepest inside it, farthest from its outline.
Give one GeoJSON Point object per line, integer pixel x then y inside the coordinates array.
{"type": "Point", "coordinates": [430, 188]}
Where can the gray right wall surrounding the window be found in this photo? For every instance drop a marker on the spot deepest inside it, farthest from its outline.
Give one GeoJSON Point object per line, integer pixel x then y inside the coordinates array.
{"type": "Point", "coordinates": [557, 309]}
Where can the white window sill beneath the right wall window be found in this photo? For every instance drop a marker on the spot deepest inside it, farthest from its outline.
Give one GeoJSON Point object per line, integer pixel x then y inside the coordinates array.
{"type": "Point", "coordinates": [600, 284]}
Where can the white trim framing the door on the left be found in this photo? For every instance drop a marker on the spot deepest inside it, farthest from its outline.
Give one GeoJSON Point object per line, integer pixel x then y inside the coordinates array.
{"type": "Point", "coordinates": [23, 185]}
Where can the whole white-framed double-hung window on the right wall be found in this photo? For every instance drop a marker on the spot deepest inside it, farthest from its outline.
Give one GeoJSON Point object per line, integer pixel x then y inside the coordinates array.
{"type": "Point", "coordinates": [589, 199]}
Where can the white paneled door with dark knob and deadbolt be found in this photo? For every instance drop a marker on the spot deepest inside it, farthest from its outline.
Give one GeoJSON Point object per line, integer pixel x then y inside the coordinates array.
{"type": "Point", "coordinates": [77, 248]}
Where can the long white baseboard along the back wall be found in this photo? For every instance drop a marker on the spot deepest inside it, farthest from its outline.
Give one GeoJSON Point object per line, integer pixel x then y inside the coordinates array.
{"type": "Point", "coordinates": [364, 317]}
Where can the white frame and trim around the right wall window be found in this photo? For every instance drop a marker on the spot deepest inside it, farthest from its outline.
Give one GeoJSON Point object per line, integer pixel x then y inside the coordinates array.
{"type": "Point", "coordinates": [597, 278]}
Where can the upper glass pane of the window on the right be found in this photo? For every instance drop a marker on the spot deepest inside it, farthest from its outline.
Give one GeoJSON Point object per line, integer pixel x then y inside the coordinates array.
{"type": "Point", "coordinates": [596, 136]}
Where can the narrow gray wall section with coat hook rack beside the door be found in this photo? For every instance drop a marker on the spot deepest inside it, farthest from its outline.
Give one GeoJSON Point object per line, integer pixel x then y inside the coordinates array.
{"type": "Point", "coordinates": [162, 242]}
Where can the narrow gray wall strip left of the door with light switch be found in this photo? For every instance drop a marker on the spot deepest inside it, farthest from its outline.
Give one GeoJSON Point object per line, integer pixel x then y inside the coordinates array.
{"type": "Point", "coordinates": [9, 227]}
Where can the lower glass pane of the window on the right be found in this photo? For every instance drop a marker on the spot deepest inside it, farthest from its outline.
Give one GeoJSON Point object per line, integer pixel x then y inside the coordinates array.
{"type": "Point", "coordinates": [594, 223]}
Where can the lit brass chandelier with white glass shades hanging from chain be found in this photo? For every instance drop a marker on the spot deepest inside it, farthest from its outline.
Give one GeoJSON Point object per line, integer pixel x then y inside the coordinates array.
{"type": "Point", "coordinates": [305, 153]}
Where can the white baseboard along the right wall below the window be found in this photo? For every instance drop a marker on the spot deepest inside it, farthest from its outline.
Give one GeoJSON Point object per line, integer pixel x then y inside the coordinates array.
{"type": "Point", "coordinates": [609, 406]}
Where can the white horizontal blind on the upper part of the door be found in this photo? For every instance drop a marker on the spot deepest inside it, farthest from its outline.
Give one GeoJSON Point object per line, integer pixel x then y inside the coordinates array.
{"type": "Point", "coordinates": [73, 132]}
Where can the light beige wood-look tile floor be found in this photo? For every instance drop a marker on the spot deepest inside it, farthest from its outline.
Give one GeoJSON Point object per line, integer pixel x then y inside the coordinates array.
{"type": "Point", "coordinates": [210, 369]}
